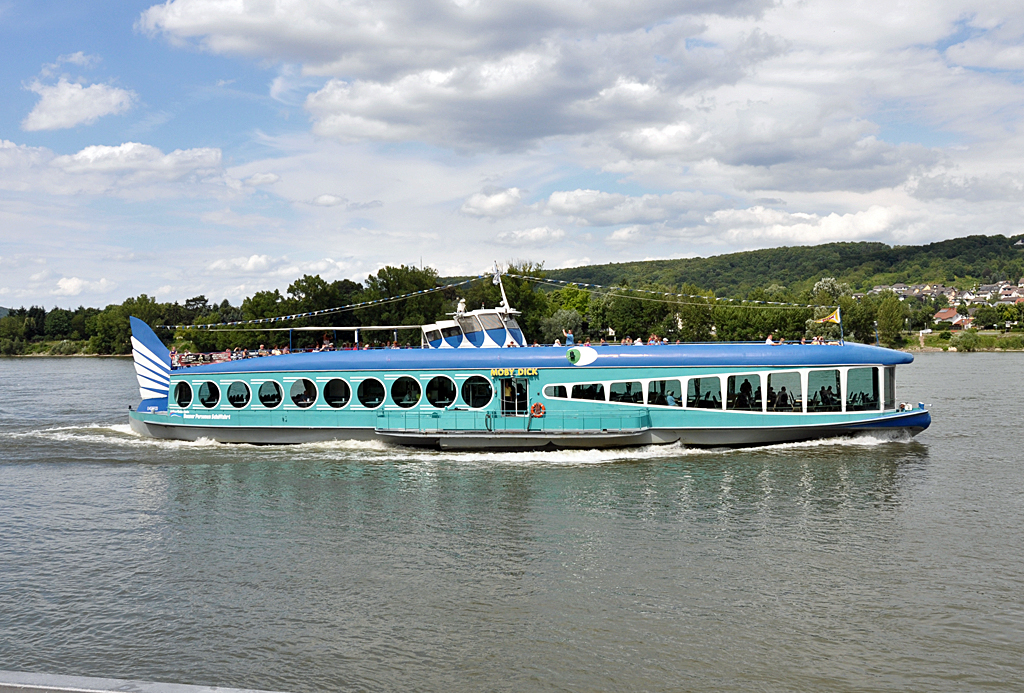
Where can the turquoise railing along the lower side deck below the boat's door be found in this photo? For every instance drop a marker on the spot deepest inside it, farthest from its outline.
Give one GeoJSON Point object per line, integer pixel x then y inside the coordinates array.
{"type": "Point", "coordinates": [470, 420]}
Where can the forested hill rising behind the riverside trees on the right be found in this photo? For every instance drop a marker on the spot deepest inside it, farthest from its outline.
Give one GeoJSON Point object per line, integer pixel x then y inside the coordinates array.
{"type": "Point", "coordinates": [975, 258]}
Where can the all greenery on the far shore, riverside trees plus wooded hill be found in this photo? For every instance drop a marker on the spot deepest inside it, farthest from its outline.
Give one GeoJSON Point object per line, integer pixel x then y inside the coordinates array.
{"type": "Point", "coordinates": [819, 279]}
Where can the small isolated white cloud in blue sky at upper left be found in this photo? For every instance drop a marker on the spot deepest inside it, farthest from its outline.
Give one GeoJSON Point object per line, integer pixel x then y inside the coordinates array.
{"type": "Point", "coordinates": [66, 105]}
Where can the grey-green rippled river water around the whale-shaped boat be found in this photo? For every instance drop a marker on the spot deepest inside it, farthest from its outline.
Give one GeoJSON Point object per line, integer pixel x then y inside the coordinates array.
{"type": "Point", "coordinates": [864, 565]}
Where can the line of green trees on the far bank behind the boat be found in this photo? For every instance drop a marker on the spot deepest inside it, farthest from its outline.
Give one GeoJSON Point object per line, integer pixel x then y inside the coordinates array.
{"type": "Point", "coordinates": [678, 313]}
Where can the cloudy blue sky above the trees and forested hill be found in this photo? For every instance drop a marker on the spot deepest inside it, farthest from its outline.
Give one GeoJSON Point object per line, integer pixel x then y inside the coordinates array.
{"type": "Point", "coordinates": [227, 147]}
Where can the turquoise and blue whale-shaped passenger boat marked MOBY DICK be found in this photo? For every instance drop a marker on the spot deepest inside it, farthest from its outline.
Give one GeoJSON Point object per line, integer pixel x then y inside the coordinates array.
{"type": "Point", "coordinates": [474, 384]}
